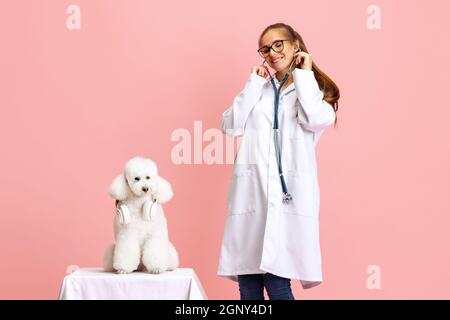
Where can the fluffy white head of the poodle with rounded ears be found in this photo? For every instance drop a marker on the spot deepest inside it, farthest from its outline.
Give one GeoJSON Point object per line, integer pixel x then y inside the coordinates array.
{"type": "Point", "coordinates": [140, 178]}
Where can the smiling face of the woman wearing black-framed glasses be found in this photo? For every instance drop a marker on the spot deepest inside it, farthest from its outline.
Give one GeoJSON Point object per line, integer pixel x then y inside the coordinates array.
{"type": "Point", "coordinates": [278, 61]}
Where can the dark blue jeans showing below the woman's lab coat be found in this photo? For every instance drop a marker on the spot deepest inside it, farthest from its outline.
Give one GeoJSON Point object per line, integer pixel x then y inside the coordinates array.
{"type": "Point", "coordinates": [251, 287]}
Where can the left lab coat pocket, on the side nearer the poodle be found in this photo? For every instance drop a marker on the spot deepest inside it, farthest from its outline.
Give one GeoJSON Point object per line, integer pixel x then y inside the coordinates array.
{"type": "Point", "coordinates": [242, 193]}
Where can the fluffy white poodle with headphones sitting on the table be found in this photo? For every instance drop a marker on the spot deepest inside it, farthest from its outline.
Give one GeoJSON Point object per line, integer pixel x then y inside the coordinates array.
{"type": "Point", "coordinates": [140, 226]}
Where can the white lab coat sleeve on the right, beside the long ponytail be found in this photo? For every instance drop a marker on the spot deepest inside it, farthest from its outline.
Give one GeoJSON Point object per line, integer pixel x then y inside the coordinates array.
{"type": "Point", "coordinates": [314, 114]}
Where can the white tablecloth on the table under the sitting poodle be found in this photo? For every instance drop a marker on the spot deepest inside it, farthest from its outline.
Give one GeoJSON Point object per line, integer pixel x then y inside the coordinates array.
{"type": "Point", "coordinates": [94, 283]}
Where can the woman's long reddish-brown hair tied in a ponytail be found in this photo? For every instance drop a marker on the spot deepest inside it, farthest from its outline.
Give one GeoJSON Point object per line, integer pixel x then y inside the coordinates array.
{"type": "Point", "coordinates": [329, 88]}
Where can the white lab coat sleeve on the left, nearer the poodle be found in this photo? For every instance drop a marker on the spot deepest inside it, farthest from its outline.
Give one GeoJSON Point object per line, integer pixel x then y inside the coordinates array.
{"type": "Point", "coordinates": [235, 117]}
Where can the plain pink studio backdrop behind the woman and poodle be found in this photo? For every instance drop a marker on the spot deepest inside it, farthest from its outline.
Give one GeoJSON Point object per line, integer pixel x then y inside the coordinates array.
{"type": "Point", "coordinates": [76, 104]}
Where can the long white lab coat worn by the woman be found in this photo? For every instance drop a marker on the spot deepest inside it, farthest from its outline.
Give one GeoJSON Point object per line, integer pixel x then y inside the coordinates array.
{"type": "Point", "coordinates": [263, 234]}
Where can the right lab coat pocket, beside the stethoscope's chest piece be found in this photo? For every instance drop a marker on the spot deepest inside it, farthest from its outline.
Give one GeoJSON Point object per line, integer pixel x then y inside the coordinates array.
{"type": "Point", "coordinates": [300, 186]}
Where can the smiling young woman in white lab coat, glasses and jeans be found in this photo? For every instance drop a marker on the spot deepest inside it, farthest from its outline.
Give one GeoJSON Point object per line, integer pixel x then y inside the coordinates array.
{"type": "Point", "coordinates": [272, 229]}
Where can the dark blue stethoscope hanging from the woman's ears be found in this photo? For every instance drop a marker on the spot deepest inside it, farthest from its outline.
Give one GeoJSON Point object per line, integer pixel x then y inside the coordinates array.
{"type": "Point", "coordinates": [286, 195]}
